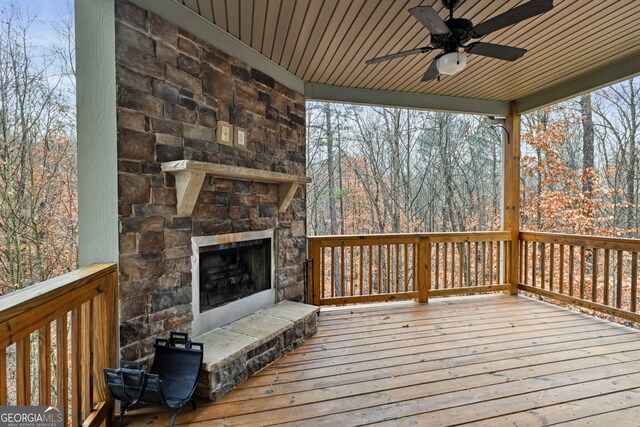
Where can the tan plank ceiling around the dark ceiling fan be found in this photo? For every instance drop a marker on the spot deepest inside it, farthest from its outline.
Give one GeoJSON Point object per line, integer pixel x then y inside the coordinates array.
{"type": "Point", "coordinates": [327, 42]}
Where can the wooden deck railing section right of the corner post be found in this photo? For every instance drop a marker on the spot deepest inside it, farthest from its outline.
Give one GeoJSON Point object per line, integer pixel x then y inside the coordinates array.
{"type": "Point", "coordinates": [598, 273]}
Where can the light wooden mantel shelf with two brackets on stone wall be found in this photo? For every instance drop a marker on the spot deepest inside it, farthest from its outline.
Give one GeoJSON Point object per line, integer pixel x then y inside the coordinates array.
{"type": "Point", "coordinates": [190, 175]}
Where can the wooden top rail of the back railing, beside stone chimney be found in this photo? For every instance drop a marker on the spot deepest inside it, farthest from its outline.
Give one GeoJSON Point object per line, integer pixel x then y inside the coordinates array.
{"type": "Point", "coordinates": [471, 236]}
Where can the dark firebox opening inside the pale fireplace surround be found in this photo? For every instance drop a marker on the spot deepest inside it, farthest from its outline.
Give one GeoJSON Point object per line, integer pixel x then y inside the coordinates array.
{"type": "Point", "coordinates": [232, 271]}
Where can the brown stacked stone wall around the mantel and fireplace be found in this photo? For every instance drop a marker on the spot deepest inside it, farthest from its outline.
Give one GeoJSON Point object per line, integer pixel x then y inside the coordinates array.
{"type": "Point", "coordinates": [172, 90]}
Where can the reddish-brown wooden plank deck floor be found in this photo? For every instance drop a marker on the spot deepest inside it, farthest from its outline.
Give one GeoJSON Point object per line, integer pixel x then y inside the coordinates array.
{"type": "Point", "coordinates": [490, 360]}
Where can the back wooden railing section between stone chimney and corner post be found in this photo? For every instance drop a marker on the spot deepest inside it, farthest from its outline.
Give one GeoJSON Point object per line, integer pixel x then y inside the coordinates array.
{"type": "Point", "coordinates": [367, 268]}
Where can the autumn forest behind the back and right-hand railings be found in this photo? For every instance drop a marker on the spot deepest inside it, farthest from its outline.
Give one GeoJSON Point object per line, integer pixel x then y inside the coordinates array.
{"type": "Point", "coordinates": [386, 170]}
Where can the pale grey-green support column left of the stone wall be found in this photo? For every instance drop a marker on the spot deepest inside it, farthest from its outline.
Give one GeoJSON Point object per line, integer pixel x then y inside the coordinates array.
{"type": "Point", "coordinates": [97, 133]}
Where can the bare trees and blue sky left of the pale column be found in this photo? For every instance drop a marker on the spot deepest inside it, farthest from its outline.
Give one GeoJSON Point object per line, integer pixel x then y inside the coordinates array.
{"type": "Point", "coordinates": [38, 174]}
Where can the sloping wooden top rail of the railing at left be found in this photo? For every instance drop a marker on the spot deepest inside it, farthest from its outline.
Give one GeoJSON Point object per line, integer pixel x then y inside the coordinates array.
{"type": "Point", "coordinates": [40, 294]}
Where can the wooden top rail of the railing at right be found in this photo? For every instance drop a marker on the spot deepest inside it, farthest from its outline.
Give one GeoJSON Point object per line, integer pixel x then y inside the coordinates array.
{"type": "Point", "coordinates": [601, 242]}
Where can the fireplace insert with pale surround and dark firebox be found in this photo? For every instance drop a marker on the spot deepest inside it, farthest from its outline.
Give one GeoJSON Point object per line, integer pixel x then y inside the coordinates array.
{"type": "Point", "coordinates": [233, 276]}
